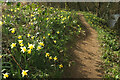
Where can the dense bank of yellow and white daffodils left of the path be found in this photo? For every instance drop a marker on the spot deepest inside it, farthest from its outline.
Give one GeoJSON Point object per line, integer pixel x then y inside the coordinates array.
{"type": "Point", "coordinates": [34, 40]}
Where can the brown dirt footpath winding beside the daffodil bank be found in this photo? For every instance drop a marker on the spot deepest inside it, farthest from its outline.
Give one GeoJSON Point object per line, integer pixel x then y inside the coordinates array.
{"type": "Point", "coordinates": [86, 55]}
